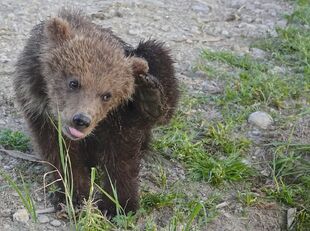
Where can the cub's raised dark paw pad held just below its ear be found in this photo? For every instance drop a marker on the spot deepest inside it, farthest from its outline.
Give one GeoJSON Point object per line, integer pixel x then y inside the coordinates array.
{"type": "Point", "coordinates": [149, 96]}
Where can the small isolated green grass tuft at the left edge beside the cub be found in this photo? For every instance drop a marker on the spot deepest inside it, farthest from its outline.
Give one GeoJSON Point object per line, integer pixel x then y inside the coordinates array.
{"type": "Point", "coordinates": [14, 140]}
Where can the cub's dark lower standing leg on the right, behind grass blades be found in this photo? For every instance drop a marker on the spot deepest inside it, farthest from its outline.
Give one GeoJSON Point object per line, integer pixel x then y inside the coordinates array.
{"type": "Point", "coordinates": [123, 177]}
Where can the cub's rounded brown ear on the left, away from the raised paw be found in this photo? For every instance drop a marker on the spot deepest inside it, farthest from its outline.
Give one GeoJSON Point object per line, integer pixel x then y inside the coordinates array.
{"type": "Point", "coordinates": [58, 30]}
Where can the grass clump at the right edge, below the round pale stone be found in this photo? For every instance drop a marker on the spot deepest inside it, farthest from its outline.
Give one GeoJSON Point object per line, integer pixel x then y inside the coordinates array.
{"type": "Point", "coordinates": [291, 176]}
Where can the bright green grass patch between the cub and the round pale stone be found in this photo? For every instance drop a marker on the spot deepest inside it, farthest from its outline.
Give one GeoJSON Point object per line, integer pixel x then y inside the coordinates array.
{"type": "Point", "coordinates": [209, 153]}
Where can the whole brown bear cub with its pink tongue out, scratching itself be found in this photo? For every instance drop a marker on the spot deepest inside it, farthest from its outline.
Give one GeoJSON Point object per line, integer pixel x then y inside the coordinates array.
{"type": "Point", "coordinates": [107, 94]}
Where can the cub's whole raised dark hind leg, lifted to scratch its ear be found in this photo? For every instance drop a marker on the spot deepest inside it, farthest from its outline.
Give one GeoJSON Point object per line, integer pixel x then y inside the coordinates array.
{"type": "Point", "coordinates": [157, 92]}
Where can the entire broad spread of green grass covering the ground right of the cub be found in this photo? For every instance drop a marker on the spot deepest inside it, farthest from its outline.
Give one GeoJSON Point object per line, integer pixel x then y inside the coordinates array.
{"type": "Point", "coordinates": [215, 151]}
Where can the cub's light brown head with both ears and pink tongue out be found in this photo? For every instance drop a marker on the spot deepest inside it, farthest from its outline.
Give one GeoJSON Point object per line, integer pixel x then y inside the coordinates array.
{"type": "Point", "coordinates": [87, 75]}
